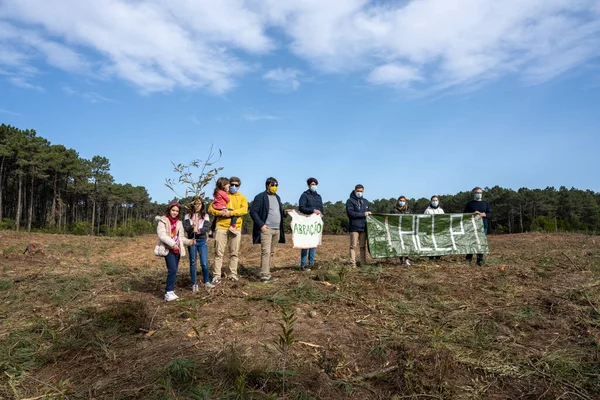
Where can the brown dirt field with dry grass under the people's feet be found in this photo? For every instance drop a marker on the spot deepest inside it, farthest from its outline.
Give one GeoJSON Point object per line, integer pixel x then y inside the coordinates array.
{"type": "Point", "coordinates": [84, 317]}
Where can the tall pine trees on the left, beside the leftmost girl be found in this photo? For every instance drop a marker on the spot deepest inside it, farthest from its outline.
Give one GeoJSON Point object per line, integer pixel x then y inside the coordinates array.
{"type": "Point", "coordinates": [49, 188]}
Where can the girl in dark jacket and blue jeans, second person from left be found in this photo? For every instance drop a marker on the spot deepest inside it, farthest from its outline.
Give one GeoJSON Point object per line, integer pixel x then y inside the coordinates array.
{"type": "Point", "coordinates": [196, 225]}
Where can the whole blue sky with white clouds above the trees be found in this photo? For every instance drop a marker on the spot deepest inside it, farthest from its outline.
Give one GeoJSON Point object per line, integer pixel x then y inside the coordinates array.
{"type": "Point", "coordinates": [406, 97]}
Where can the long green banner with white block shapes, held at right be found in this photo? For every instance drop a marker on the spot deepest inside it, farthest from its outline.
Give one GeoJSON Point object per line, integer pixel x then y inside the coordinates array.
{"type": "Point", "coordinates": [395, 235]}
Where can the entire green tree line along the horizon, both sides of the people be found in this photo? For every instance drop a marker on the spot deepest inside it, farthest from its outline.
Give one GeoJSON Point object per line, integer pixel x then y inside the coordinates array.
{"type": "Point", "coordinates": [47, 187]}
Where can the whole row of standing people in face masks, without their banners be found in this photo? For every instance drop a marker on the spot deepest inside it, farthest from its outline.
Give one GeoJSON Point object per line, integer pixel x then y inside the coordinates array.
{"type": "Point", "coordinates": [228, 208]}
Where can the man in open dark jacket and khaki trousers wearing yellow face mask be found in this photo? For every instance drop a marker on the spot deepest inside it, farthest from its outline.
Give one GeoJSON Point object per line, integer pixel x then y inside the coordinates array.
{"type": "Point", "coordinates": [267, 213]}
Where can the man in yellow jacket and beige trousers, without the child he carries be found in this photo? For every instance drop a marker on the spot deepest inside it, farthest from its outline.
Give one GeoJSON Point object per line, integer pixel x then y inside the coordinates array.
{"type": "Point", "coordinates": [226, 238]}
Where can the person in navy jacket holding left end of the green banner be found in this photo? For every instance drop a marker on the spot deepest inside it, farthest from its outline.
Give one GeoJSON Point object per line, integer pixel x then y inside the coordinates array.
{"type": "Point", "coordinates": [357, 209]}
